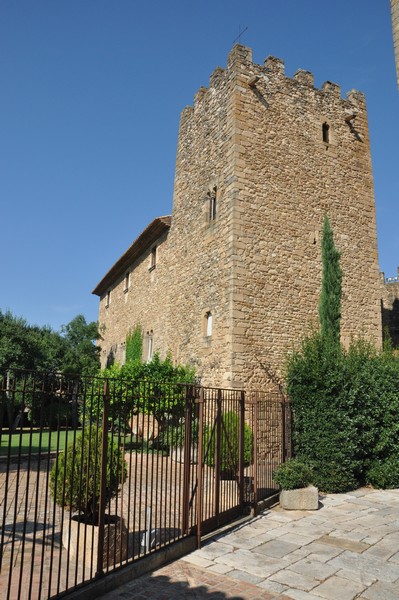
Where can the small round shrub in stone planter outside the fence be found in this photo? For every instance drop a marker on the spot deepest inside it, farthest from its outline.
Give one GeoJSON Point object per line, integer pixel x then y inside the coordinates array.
{"type": "Point", "coordinates": [294, 478]}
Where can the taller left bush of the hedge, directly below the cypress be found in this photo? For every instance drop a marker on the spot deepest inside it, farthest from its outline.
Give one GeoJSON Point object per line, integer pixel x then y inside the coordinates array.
{"type": "Point", "coordinates": [324, 431]}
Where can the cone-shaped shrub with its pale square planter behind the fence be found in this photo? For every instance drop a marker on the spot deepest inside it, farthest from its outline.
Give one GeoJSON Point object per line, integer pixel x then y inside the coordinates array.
{"type": "Point", "coordinates": [75, 484]}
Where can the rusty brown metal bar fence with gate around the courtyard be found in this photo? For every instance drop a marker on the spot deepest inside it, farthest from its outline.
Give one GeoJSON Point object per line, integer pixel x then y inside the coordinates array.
{"type": "Point", "coordinates": [95, 474]}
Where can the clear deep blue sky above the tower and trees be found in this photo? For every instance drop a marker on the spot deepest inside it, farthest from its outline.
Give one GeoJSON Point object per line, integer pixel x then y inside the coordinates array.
{"type": "Point", "coordinates": [91, 93]}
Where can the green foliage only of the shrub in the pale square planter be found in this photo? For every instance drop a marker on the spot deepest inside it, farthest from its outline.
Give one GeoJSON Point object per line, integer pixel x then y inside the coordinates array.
{"type": "Point", "coordinates": [75, 476]}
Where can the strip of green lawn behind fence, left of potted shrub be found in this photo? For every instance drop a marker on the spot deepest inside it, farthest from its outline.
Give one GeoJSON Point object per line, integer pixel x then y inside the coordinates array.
{"type": "Point", "coordinates": [21, 443]}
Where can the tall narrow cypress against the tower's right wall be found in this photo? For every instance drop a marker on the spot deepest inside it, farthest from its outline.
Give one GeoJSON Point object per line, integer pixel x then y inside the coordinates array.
{"type": "Point", "coordinates": [331, 287]}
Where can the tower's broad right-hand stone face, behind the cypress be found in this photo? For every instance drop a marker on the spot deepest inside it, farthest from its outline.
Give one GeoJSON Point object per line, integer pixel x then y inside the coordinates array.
{"type": "Point", "coordinates": [287, 179]}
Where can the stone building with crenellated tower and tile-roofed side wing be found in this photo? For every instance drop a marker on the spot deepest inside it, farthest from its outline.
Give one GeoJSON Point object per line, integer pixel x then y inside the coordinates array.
{"type": "Point", "coordinates": [232, 279]}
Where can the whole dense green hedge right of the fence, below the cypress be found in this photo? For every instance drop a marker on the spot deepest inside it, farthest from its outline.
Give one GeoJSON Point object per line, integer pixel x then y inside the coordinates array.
{"type": "Point", "coordinates": [346, 412]}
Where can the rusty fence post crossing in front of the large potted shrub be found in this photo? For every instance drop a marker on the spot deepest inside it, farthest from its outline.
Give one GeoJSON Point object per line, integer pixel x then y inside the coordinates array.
{"type": "Point", "coordinates": [103, 481]}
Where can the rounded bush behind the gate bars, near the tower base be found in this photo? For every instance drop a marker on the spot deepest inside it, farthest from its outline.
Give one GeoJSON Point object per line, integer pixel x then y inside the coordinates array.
{"type": "Point", "coordinates": [229, 444]}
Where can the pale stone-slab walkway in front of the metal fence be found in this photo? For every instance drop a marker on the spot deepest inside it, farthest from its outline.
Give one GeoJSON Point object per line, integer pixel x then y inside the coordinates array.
{"type": "Point", "coordinates": [347, 549]}
